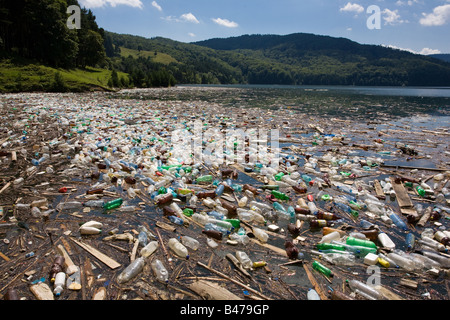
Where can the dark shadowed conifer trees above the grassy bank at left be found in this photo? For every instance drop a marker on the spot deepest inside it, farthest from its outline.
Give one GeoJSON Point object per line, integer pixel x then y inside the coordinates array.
{"type": "Point", "coordinates": [37, 30]}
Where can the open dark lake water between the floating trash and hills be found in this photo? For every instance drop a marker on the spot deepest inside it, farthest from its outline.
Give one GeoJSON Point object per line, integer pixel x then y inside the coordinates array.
{"type": "Point", "coordinates": [377, 103]}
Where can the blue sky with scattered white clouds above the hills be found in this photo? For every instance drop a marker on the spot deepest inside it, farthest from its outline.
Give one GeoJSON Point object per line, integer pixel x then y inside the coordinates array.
{"type": "Point", "coordinates": [420, 26]}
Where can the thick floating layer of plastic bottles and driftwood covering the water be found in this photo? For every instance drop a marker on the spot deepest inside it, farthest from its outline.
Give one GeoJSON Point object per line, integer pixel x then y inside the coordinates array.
{"type": "Point", "coordinates": [103, 198]}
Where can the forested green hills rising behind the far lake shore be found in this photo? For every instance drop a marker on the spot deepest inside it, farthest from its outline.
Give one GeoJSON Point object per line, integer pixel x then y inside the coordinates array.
{"type": "Point", "coordinates": [295, 59]}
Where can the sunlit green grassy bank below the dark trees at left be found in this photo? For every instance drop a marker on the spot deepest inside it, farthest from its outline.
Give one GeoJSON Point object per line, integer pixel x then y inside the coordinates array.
{"type": "Point", "coordinates": [21, 77]}
